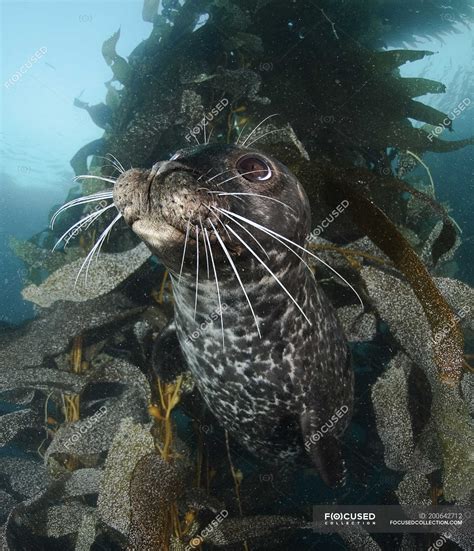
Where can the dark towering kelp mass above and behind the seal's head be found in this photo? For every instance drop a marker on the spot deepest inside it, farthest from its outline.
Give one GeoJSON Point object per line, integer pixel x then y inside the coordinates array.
{"type": "Point", "coordinates": [359, 102]}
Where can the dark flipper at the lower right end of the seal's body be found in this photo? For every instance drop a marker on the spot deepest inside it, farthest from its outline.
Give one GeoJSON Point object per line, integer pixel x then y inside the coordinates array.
{"type": "Point", "coordinates": [324, 450]}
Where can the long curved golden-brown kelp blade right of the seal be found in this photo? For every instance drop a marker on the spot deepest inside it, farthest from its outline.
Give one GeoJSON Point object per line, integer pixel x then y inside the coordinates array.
{"type": "Point", "coordinates": [350, 184]}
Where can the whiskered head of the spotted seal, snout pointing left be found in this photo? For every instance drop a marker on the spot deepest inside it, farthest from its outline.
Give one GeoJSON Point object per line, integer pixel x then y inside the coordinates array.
{"type": "Point", "coordinates": [206, 190]}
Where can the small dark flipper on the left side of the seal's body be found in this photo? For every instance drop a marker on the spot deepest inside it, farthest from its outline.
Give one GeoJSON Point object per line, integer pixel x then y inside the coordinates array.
{"type": "Point", "coordinates": [166, 358]}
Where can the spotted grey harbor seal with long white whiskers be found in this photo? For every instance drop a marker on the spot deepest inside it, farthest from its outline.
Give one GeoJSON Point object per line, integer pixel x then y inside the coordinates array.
{"type": "Point", "coordinates": [261, 339]}
